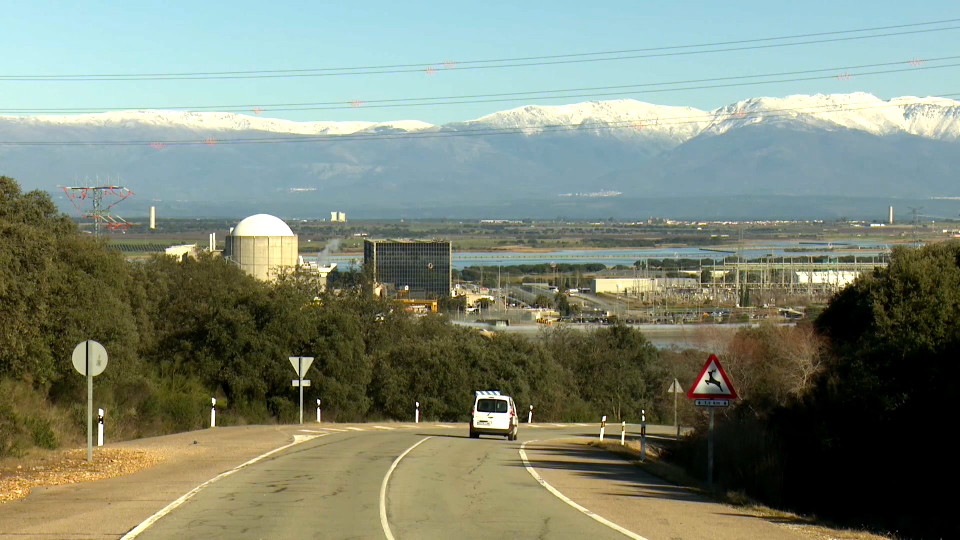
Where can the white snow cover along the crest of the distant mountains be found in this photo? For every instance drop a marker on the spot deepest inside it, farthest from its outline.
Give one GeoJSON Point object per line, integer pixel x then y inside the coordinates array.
{"type": "Point", "coordinates": [930, 117]}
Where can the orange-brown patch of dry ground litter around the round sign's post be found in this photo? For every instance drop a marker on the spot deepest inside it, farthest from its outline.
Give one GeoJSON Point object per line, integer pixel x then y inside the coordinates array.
{"type": "Point", "coordinates": [54, 468]}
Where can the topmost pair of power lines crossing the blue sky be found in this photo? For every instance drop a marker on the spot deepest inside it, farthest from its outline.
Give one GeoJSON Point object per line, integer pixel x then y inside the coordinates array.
{"type": "Point", "coordinates": [576, 58]}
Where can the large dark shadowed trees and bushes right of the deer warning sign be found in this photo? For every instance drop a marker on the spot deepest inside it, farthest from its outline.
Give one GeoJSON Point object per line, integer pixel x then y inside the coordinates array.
{"type": "Point", "coordinates": [864, 439]}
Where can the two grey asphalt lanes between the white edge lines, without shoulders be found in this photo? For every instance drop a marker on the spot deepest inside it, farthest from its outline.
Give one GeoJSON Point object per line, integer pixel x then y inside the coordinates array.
{"type": "Point", "coordinates": [450, 486]}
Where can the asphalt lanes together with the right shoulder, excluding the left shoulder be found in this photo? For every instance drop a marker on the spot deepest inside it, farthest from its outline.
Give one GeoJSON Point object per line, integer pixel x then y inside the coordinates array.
{"type": "Point", "coordinates": [436, 483]}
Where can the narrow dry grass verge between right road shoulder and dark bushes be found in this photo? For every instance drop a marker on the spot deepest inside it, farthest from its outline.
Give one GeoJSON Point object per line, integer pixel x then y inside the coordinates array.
{"type": "Point", "coordinates": [653, 464]}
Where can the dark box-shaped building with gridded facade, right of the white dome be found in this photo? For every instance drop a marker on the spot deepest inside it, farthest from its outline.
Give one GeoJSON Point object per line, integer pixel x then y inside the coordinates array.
{"type": "Point", "coordinates": [416, 269]}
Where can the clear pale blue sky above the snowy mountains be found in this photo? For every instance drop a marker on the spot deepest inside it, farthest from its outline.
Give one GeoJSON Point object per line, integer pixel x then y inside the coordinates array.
{"type": "Point", "coordinates": [56, 38]}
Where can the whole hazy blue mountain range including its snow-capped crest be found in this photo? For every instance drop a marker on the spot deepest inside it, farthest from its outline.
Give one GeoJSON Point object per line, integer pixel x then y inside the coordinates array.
{"type": "Point", "coordinates": [842, 145]}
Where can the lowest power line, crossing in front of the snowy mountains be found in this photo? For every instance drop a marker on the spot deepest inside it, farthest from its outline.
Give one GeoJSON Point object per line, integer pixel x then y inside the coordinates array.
{"type": "Point", "coordinates": [474, 132]}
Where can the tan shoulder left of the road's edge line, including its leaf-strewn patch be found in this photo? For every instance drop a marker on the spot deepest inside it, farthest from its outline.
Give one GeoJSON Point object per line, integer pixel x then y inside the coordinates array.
{"type": "Point", "coordinates": [70, 498]}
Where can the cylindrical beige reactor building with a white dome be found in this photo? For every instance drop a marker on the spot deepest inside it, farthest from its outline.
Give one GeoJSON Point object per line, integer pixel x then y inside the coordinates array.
{"type": "Point", "coordinates": [262, 245]}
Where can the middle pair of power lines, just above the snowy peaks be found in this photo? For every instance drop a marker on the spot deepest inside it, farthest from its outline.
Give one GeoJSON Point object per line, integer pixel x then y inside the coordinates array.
{"type": "Point", "coordinates": [509, 96]}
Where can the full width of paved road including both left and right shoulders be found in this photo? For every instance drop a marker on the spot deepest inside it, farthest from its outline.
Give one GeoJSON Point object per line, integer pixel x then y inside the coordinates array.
{"type": "Point", "coordinates": [394, 482]}
